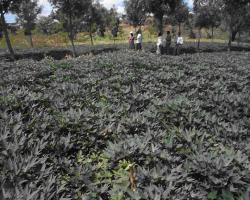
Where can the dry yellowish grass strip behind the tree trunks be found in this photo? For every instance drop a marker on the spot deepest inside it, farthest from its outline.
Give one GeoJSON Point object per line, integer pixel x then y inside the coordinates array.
{"type": "Point", "coordinates": [19, 40]}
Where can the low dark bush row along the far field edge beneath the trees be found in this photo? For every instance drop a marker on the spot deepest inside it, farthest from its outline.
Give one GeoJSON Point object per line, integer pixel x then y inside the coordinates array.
{"type": "Point", "coordinates": [59, 53]}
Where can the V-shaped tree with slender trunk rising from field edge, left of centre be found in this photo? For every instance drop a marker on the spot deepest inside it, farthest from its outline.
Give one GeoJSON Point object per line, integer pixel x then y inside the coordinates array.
{"type": "Point", "coordinates": [70, 13]}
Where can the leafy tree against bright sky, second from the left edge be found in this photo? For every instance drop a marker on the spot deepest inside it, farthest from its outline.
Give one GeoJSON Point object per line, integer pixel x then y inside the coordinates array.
{"type": "Point", "coordinates": [27, 14]}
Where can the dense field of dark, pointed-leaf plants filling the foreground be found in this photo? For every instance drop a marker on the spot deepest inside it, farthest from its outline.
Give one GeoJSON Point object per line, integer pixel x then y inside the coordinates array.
{"type": "Point", "coordinates": [126, 125]}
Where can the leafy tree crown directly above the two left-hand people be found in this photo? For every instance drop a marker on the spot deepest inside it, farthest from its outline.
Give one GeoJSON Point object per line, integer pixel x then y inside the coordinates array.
{"type": "Point", "coordinates": [136, 12]}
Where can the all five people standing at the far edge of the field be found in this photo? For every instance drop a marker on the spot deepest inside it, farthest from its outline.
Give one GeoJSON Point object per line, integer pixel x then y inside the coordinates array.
{"type": "Point", "coordinates": [163, 44]}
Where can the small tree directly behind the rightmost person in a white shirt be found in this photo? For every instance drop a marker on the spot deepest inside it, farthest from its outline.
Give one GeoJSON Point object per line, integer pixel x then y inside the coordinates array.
{"type": "Point", "coordinates": [181, 14]}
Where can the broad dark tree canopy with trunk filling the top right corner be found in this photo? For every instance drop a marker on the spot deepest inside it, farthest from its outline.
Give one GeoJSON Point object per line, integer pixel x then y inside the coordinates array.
{"type": "Point", "coordinates": [233, 14]}
